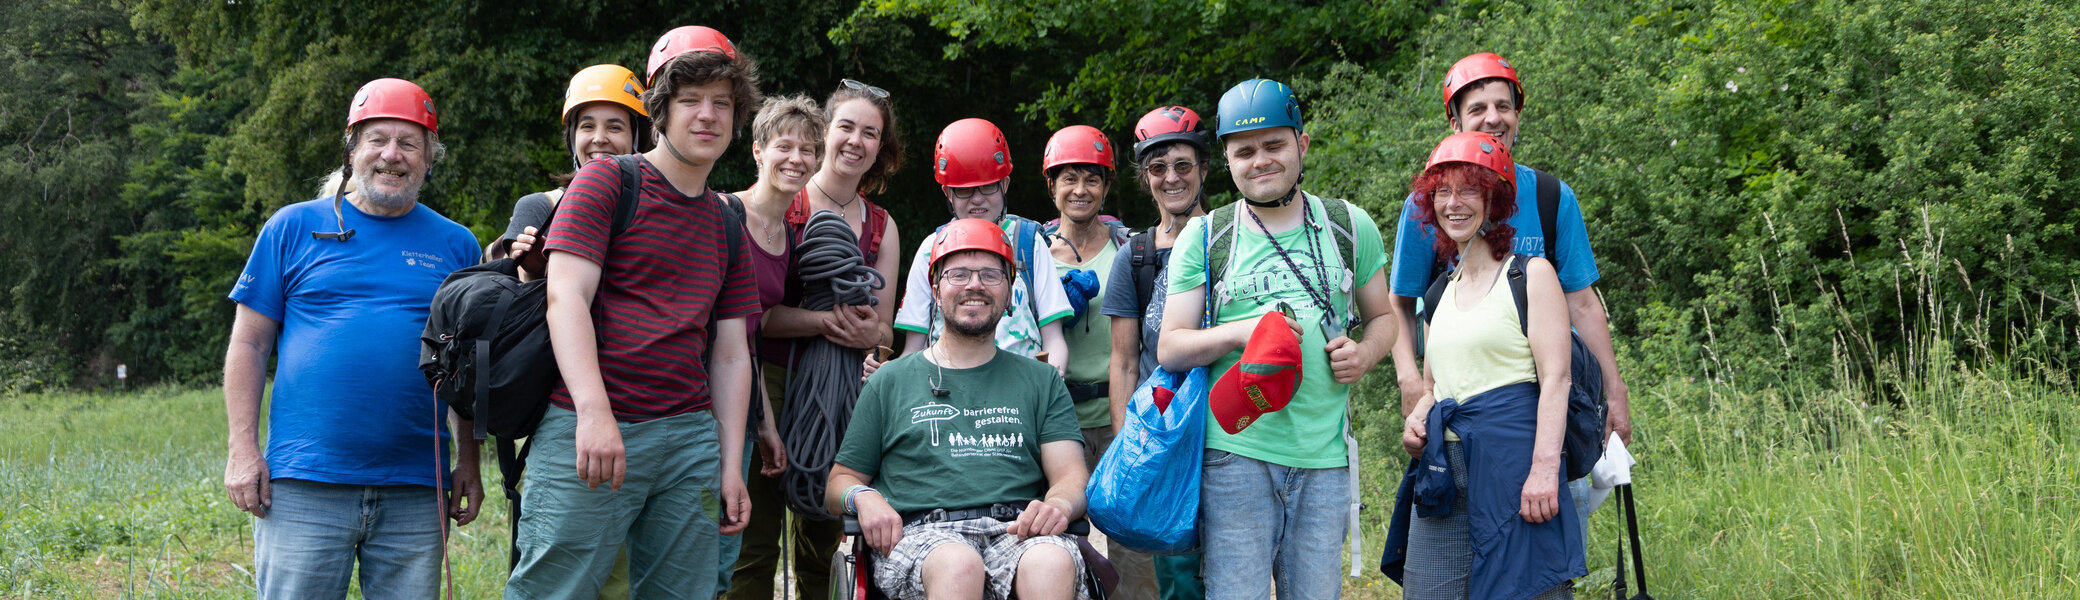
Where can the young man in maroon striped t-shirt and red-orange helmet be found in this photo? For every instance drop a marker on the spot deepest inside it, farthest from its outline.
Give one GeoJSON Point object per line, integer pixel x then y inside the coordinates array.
{"type": "Point", "coordinates": [644, 436]}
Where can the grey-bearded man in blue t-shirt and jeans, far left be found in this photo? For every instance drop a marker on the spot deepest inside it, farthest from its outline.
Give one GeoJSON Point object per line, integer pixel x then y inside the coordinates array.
{"type": "Point", "coordinates": [357, 453]}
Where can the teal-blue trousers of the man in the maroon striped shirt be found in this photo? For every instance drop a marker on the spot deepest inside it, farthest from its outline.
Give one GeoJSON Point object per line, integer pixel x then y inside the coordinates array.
{"type": "Point", "coordinates": [667, 514]}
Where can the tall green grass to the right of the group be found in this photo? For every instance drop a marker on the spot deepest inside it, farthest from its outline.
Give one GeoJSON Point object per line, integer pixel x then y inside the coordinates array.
{"type": "Point", "coordinates": [1948, 468]}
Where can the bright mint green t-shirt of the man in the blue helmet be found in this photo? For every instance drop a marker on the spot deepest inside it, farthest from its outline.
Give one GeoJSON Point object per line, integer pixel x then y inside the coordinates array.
{"type": "Point", "coordinates": [1309, 432]}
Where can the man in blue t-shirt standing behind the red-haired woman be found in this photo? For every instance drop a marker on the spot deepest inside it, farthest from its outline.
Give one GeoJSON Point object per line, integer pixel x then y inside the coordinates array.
{"type": "Point", "coordinates": [1484, 95]}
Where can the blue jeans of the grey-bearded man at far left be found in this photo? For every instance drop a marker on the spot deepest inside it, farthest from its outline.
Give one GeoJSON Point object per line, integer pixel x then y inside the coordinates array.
{"type": "Point", "coordinates": [315, 532]}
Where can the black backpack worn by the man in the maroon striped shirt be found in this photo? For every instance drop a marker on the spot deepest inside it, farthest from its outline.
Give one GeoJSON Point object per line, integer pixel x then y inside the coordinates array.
{"type": "Point", "coordinates": [486, 347]}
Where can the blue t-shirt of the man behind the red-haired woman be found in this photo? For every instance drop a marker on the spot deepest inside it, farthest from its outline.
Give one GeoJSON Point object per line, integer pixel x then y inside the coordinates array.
{"type": "Point", "coordinates": [1415, 253]}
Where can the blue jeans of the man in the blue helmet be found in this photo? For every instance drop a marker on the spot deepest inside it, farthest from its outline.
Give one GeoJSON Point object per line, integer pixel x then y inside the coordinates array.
{"type": "Point", "coordinates": [1266, 524]}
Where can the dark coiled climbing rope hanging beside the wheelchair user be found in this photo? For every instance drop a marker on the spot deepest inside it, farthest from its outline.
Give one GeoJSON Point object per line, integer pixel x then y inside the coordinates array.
{"type": "Point", "coordinates": [825, 376]}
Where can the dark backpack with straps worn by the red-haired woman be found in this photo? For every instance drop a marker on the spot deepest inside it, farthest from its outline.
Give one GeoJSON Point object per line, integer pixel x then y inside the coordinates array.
{"type": "Point", "coordinates": [1586, 407]}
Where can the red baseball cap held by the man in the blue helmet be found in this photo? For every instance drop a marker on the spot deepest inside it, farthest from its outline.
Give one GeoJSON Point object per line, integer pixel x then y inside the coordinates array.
{"type": "Point", "coordinates": [1264, 380]}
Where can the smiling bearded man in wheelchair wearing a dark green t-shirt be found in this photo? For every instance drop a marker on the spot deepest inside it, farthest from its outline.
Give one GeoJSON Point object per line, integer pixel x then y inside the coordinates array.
{"type": "Point", "coordinates": [974, 457]}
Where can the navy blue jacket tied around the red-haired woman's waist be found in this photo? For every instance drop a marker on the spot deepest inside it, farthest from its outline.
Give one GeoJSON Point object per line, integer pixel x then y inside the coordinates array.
{"type": "Point", "coordinates": [1511, 557]}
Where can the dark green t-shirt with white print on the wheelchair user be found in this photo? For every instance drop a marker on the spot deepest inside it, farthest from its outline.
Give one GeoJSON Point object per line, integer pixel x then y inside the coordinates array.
{"type": "Point", "coordinates": [974, 447]}
